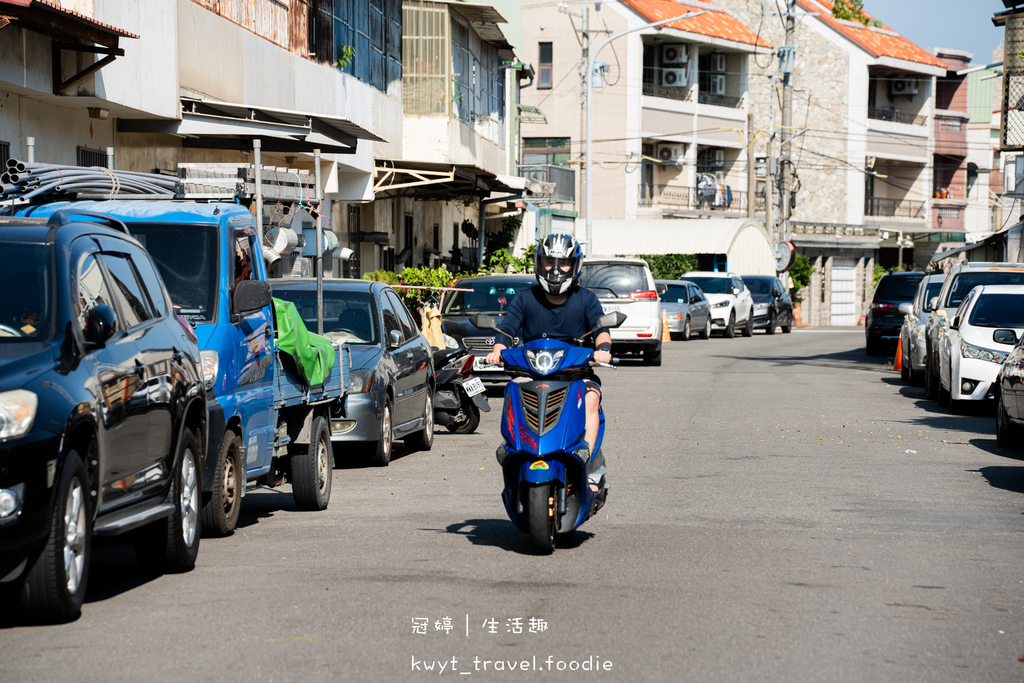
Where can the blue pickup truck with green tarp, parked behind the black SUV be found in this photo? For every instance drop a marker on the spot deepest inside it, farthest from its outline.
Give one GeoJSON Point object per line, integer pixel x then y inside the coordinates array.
{"type": "Point", "coordinates": [267, 423]}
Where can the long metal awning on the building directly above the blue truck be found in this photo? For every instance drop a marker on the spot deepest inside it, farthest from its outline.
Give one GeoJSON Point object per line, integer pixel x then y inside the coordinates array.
{"type": "Point", "coordinates": [214, 125]}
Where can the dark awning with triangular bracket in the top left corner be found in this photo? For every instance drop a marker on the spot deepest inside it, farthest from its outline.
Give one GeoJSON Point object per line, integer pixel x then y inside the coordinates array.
{"type": "Point", "coordinates": [71, 31]}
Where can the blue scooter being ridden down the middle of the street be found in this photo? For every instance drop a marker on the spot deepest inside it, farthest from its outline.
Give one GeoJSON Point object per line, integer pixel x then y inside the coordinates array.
{"type": "Point", "coordinates": [545, 460]}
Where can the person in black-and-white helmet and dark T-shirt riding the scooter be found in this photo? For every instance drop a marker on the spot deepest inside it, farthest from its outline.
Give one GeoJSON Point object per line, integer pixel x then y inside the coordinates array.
{"type": "Point", "coordinates": [559, 309]}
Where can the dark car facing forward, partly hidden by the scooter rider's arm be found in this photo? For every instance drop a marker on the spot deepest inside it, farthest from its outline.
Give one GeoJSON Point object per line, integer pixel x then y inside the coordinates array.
{"type": "Point", "coordinates": [491, 295]}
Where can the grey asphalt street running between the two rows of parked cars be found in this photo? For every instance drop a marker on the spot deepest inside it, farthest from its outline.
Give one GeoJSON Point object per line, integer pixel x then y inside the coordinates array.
{"type": "Point", "coordinates": [782, 508]}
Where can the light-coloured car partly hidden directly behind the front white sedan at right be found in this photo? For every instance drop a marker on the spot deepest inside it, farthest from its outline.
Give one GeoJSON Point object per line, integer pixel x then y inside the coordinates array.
{"type": "Point", "coordinates": [962, 279]}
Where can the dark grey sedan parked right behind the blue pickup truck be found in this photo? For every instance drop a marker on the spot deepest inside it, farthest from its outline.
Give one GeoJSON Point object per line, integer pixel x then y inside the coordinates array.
{"type": "Point", "coordinates": [391, 385]}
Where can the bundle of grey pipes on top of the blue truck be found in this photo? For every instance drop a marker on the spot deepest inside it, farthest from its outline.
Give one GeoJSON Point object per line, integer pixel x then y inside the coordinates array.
{"type": "Point", "coordinates": [23, 181]}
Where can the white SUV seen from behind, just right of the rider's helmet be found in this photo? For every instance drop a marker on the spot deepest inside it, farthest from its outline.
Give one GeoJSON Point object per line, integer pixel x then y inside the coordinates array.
{"type": "Point", "coordinates": [627, 285]}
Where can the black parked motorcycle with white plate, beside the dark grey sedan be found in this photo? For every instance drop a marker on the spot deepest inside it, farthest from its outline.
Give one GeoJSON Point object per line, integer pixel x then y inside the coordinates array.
{"type": "Point", "coordinates": [459, 398]}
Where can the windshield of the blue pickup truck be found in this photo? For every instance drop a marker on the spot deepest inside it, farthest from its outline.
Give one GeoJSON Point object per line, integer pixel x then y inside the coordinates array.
{"type": "Point", "coordinates": [187, 259]}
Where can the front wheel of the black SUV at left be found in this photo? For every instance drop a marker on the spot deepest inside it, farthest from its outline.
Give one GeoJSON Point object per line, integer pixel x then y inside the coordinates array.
{"type": "Point", "coordinates": [55, 587]}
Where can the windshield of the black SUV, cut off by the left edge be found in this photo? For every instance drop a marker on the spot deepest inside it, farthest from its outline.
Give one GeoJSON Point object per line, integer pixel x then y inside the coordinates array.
{"type": "Point", "coordinates": [27, 305]}
